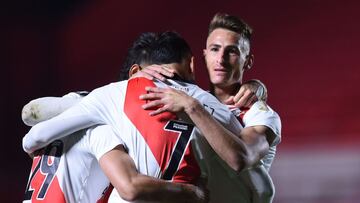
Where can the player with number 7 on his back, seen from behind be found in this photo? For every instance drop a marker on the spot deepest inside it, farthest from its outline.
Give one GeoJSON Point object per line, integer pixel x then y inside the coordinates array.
{"type": "Point", "coordinates": [118, 105]}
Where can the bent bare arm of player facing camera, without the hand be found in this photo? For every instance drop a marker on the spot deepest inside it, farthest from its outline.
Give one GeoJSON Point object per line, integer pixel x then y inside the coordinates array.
{"type": "Point", "coordinates": [239, 151]}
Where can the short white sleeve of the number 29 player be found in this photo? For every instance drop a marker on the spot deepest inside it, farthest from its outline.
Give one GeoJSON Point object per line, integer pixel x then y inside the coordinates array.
{"type": "Point", "coordinates": [102, 139]}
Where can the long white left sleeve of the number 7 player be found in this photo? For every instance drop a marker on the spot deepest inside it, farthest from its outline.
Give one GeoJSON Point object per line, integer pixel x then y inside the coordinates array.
{"type": "Point", "coordinates": [79, 116]}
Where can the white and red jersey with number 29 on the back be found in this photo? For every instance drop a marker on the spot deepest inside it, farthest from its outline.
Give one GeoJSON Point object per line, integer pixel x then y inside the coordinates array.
{"type": "Point", "coordinates": [68, 170]}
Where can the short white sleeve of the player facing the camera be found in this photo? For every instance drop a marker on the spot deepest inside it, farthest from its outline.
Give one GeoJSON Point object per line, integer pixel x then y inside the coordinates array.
{"type": "Point", "coordinates": [261, 114]}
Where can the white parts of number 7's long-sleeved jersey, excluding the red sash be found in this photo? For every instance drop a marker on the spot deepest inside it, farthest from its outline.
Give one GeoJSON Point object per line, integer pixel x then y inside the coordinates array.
{"type": "Point", "coordinates": [104, 106]}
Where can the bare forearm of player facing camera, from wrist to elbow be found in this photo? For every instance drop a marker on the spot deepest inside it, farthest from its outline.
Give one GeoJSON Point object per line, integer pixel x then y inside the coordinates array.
{"type": "Point", "coordinates": [231, 148]}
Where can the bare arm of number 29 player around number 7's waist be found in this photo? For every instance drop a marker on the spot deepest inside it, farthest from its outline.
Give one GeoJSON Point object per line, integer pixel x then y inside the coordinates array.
{"type": "Point", "coordinates": [132, 186]}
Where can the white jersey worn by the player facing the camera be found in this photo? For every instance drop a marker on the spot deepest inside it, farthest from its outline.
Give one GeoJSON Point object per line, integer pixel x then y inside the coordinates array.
{"type": "Point", "coordinates": [253, 184]}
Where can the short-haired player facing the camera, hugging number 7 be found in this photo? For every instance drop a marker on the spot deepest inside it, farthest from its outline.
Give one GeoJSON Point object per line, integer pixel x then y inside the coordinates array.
{"type": "Point", "coordinates": [239, 173]}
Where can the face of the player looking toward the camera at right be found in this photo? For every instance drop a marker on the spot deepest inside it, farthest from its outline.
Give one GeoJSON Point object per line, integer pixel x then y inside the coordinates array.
{"type": "Point", "coordinates": [225, 57]}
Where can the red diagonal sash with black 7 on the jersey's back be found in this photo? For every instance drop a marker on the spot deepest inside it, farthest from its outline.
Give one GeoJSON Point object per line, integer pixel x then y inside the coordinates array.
{"type": "Point", "coordinates": [166, 137]}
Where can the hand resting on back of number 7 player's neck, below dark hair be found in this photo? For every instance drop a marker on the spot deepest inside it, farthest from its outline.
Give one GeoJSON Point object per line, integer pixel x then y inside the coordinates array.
{"type": "Point", "coordinates": [151, 72]}
